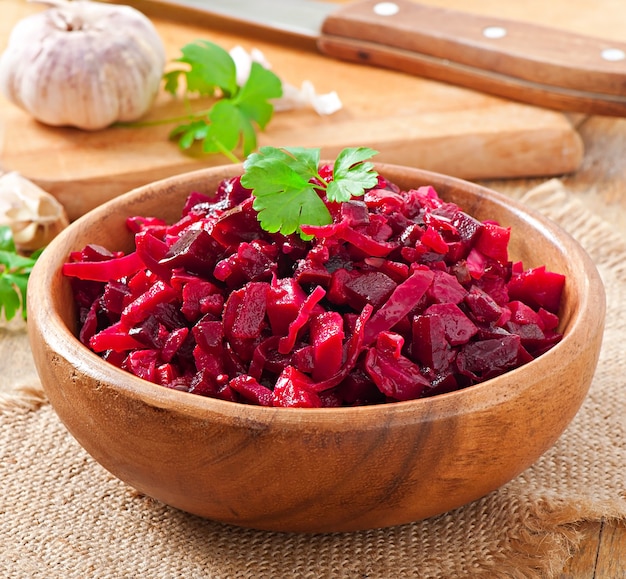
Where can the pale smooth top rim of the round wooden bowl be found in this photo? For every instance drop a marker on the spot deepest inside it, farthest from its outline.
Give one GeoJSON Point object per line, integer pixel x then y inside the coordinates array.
{"type": "Point", "coordinates": [484, 395]}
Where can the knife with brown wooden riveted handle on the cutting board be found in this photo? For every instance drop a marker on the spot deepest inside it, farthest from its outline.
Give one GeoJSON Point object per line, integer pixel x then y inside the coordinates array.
{"type": "Point", "coordinates": [521, 61]}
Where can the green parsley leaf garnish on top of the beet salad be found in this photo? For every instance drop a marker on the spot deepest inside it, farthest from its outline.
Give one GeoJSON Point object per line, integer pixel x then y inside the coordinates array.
{"type": "Point", "coordinates": [286, 182]}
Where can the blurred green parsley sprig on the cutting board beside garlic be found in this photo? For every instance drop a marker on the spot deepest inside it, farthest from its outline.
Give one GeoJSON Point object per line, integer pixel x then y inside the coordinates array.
{"type": "Point", "coordinates": [231, 122]}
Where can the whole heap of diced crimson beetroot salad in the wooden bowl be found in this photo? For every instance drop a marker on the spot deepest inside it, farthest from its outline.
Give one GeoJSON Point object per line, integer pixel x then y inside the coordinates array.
{"type": "Point", "coordinates": [402, 296]}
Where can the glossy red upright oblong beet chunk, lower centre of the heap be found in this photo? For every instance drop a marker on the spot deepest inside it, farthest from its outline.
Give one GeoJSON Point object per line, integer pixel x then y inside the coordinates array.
{"type": "Point", "coordinates": [327, 341]}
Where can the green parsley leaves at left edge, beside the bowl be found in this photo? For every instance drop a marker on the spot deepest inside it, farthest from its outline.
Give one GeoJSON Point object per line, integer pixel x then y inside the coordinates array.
{"type": "Point", "coordinates": [14, 273]}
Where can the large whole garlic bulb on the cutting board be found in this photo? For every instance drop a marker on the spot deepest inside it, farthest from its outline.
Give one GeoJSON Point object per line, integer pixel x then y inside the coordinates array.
{"type": "Point", "coordinates": [84, 64]}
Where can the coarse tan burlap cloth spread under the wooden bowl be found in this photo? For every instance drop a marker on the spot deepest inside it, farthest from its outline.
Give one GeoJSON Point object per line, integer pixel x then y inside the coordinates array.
{"type": "Point", "coordinates": [63, 516]}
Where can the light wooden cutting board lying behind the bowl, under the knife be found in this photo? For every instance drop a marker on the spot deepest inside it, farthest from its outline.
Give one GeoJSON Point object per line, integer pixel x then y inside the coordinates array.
{"type": "Point", "coordinates": [409, 120]}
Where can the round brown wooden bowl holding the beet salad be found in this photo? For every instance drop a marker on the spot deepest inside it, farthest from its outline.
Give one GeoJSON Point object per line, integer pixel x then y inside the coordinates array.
{"type": "Point", "coordinates": [327, 469]}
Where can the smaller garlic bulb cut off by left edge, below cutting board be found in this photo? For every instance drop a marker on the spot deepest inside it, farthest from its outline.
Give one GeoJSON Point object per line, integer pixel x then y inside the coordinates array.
{"type": "Point", "coordinates": [34, 216]}
